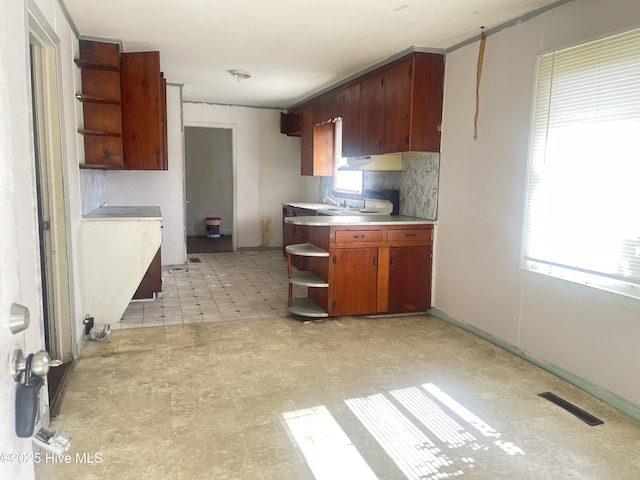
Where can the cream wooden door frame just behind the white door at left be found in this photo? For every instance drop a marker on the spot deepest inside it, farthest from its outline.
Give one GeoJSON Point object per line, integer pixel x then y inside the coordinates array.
{"type": "Point", "coordinates": [48, 137]}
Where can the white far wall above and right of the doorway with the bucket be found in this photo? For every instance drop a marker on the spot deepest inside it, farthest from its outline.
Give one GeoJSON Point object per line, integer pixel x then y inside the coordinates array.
{"type": "Point", "coordinates": [266, 168]}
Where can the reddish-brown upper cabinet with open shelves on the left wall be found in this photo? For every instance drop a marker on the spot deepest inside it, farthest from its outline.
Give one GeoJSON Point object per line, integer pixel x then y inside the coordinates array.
{"type": "Point", "coordinates": [124, 108]}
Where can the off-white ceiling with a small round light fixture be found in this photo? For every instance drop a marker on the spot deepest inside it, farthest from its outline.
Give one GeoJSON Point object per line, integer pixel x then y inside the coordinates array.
{"type": "Point", "coordinates": [292, 48]}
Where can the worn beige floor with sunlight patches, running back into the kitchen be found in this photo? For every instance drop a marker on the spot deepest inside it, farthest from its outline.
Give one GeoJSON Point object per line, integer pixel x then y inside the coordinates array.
{"type": "Point", "coordinates": [259, 395]}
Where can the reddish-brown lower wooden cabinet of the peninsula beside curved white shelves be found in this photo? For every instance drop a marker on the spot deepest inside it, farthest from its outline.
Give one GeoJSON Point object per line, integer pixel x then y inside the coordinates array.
{"type": "Point", "coordinates": [371, 269]}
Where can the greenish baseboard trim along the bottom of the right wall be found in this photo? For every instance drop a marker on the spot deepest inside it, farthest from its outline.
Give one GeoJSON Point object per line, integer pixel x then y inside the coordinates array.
{"type": "Point", "coordinates": [607, 397]}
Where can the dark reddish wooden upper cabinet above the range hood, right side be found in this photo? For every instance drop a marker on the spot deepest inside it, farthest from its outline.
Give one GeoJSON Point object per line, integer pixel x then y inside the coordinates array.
{"type": "Point", "coordinates": [396, 108]}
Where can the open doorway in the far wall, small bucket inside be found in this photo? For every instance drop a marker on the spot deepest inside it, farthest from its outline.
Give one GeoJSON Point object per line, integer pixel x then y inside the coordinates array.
{"type": "Point", "coordinates": [209, 188]}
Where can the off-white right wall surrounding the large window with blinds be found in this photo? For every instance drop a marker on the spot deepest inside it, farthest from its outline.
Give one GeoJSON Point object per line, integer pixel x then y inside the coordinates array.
{"type": "Point", "coordinates": [590, 334]}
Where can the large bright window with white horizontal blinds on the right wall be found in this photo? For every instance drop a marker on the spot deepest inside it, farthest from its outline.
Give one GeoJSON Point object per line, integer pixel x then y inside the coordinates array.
{"type": "Point", "coordinates": [583, 206]}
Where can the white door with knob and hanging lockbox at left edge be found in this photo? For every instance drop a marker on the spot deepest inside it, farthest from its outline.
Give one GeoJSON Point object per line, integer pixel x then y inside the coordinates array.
{"type": "Point", "coordinates": [19, 266]}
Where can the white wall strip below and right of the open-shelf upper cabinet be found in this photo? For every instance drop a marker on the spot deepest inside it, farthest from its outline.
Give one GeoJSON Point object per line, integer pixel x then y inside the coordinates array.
{"type": "Point", "coordinates": [159, 188]}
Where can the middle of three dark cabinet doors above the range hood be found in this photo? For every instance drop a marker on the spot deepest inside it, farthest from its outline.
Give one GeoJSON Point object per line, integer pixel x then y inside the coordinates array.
{"type": "Point", "coordinates": [372, 115]}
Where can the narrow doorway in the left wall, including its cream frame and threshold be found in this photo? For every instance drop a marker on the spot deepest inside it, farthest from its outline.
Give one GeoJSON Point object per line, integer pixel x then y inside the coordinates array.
{"type": "Point", "coordinates": [51, 210]}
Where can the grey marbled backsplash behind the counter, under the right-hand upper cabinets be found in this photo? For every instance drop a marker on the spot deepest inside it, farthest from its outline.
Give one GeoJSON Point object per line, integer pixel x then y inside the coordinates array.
{"type": "Point", "coordinates": [417, 183]}
